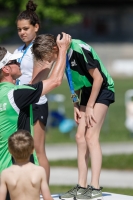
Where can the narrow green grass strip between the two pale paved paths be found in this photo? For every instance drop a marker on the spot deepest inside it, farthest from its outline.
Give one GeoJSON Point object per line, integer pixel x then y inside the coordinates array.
{"type": "Point", "coordinates": [121, 162]}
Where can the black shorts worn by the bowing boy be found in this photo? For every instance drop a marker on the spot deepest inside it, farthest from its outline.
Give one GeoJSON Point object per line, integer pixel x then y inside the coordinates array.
{"type": "Point", "coordinates": [105, 96]}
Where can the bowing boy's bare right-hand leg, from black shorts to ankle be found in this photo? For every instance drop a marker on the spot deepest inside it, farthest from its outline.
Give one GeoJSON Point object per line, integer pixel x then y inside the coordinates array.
{"type": "Point", "coordinates": [92, 138]}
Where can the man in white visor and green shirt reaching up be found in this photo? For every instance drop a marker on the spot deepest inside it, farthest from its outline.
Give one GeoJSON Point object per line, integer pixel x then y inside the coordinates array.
{"type": "Point", "coordinates": [16, 100]}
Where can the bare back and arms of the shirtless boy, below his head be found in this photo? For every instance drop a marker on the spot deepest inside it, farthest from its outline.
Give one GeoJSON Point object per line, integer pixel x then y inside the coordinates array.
{"type": "Point", "coordinates": [25, 182]}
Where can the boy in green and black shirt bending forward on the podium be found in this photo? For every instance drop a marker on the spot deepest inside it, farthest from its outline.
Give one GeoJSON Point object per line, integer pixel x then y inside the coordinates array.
{"type": "Point", "coordinates": [94, 87]}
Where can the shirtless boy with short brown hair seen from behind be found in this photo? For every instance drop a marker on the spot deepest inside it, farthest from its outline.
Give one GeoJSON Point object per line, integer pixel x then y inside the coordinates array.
{"type": "Point", "coordinates": [23, 180]}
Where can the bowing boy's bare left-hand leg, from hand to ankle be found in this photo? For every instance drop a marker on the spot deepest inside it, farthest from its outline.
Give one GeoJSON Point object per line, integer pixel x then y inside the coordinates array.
{"type": "Point", "coordinates": [82, 151]}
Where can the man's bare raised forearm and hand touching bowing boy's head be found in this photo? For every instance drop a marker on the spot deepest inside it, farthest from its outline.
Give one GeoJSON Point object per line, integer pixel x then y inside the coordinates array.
{"type": "Point", "coordinates": [57, 73]}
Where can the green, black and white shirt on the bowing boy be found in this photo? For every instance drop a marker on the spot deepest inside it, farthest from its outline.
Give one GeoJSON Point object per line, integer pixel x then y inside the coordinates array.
{"type": "Point", "coordinates": [83, 57]}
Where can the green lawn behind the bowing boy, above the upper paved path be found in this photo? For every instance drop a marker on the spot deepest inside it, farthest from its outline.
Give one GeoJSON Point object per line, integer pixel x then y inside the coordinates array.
{"type": "Point", "coordinates": [113, 130]}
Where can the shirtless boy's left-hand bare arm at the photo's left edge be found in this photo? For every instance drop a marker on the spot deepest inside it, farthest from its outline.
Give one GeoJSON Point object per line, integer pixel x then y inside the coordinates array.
{"type": "Point", "coordinates": [3, 187]}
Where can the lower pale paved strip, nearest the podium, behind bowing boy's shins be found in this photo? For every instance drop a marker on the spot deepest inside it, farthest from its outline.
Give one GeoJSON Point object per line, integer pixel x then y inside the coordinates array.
{"type": "Point", "coordinates": [108, 178]}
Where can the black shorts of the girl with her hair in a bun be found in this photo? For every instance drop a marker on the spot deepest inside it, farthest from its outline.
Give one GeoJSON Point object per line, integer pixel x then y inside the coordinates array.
{"type": "Point", "coordinates": [40, 112]}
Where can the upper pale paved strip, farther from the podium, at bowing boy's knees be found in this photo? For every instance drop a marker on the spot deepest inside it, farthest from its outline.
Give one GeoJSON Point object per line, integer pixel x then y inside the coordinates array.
{"type": "Point", "coordinates": [69, 151]}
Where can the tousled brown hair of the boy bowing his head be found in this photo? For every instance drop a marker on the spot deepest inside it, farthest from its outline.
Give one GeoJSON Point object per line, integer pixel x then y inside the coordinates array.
{"type": "Point", "coordinates": [43, 46]}
